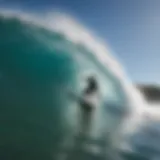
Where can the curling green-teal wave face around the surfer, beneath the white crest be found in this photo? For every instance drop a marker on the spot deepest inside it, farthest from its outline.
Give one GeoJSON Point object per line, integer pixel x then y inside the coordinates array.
{"type": "Point", "coordinates": [38, 65]}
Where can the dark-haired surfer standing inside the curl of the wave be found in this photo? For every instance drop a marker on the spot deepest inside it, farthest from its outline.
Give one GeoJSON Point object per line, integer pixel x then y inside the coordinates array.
{"type": "Point", "coordinates": [88, 100]}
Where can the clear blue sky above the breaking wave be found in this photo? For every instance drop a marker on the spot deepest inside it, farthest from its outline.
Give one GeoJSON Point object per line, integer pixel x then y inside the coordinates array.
{"type": "Point", "coordinates": [130, 27]}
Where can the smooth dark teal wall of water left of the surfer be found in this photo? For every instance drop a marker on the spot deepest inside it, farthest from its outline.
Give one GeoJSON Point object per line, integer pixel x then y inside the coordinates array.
{"type": "Point", "coordinates": [31, 77]}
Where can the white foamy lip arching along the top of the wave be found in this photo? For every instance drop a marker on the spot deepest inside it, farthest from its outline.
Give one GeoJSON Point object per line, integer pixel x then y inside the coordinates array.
{"type": "Point", "coordinates": [75, 32]}
